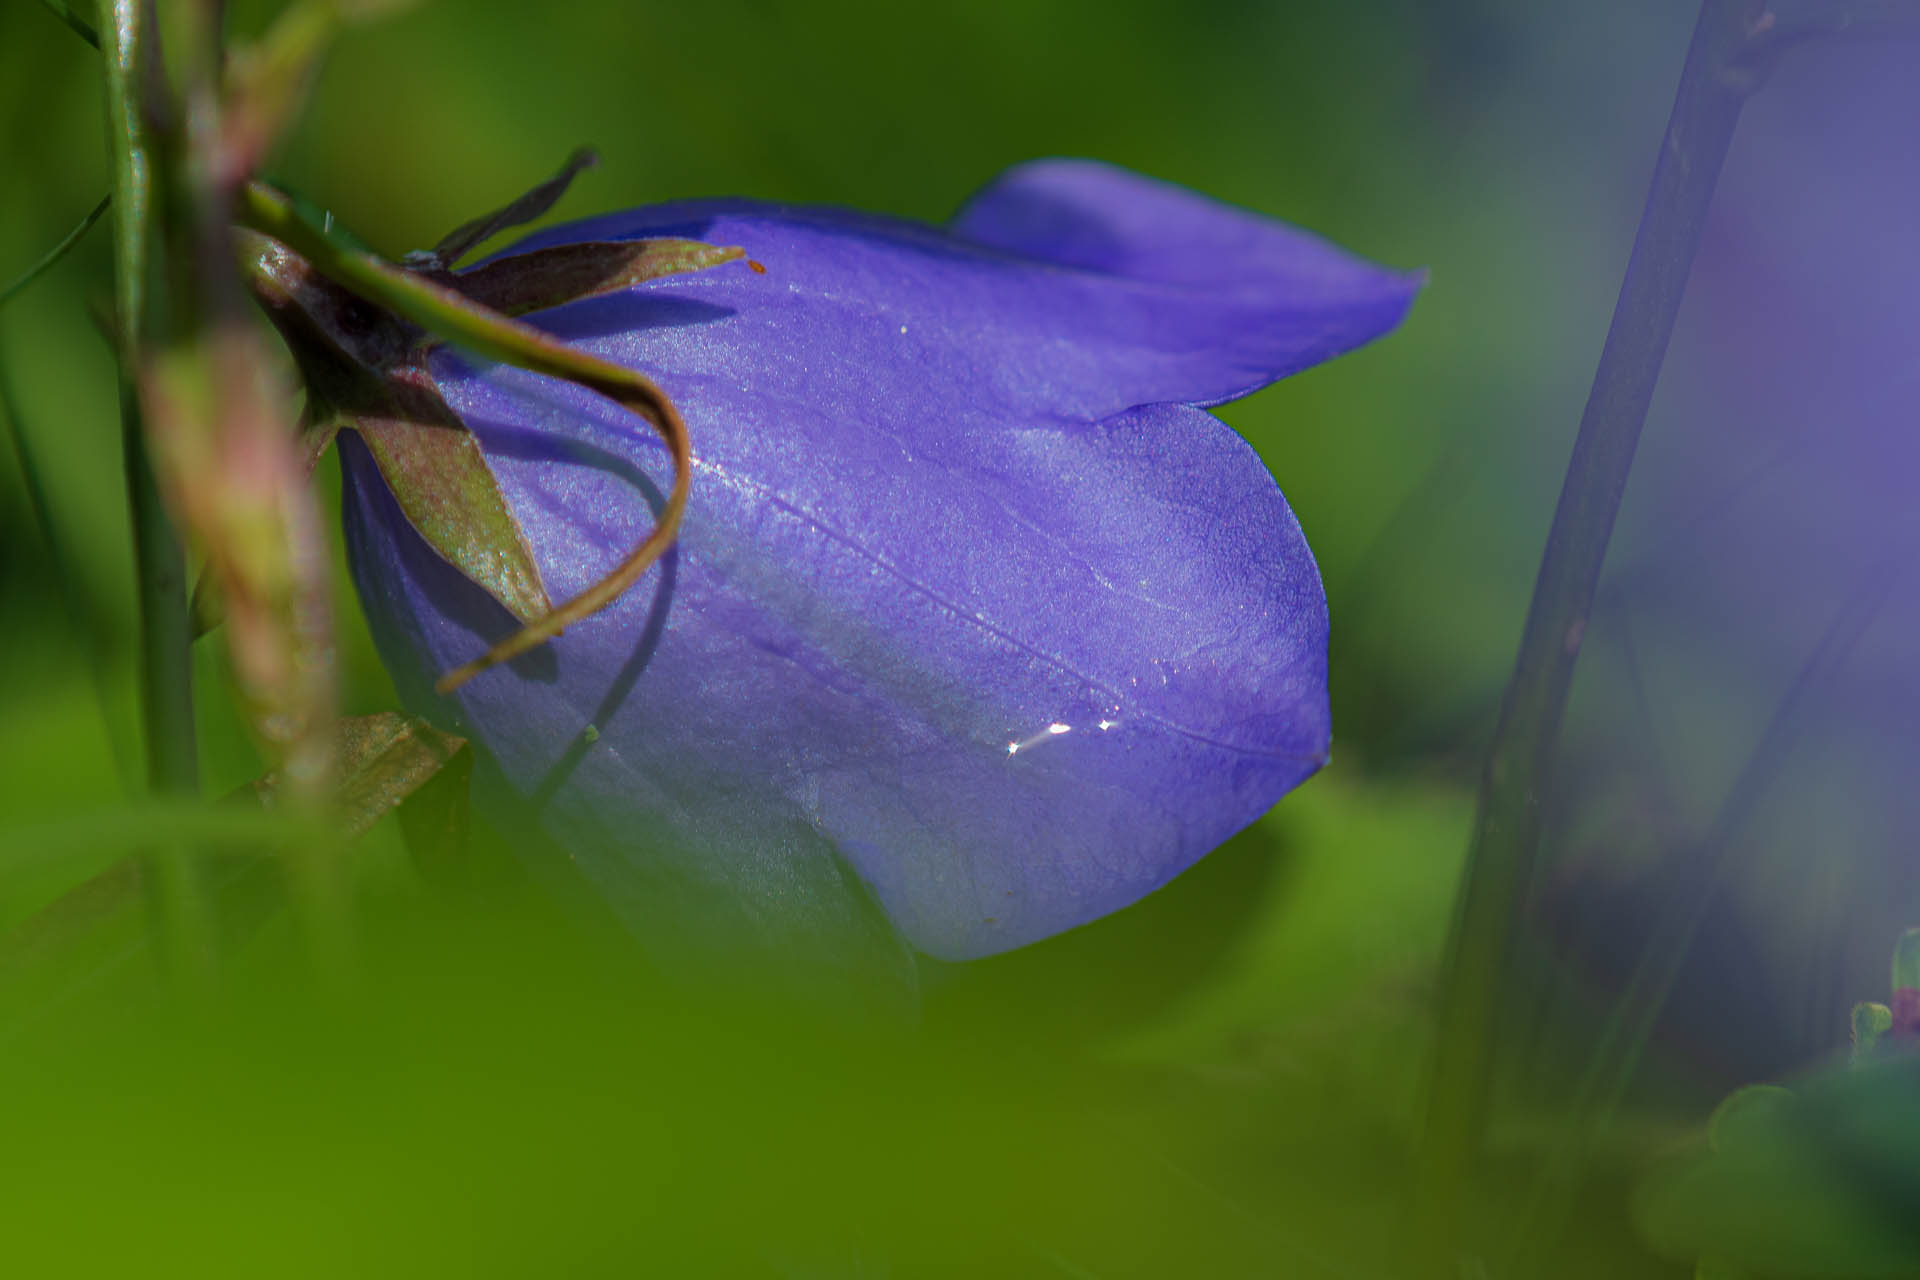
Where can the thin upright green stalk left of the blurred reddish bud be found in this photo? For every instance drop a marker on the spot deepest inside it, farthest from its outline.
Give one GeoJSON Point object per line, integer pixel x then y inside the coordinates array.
{"type": "Point", "coordinates": [160, 569]}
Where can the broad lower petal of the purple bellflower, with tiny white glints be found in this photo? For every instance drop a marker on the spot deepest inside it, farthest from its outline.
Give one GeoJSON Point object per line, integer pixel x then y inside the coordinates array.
{"type": "Point", "coordinates": [865, 669]}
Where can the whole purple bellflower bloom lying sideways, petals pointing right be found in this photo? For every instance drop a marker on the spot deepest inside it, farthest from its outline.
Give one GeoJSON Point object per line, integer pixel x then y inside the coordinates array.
{"type": "Point", "coordinates": [976, 611]}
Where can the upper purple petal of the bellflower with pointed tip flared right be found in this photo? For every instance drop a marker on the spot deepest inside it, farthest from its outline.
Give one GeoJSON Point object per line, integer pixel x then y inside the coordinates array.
{"type": "Point", "coordinates": [1164, 314]}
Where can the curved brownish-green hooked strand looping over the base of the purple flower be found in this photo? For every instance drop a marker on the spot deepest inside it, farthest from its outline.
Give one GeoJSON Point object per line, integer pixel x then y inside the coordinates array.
{"type": "Point", "coordinates": [454, 316]}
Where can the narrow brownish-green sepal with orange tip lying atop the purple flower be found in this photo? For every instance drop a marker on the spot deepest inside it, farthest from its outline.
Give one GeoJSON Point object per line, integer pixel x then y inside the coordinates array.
{"type": "Point", "coordinates": [540, 279]}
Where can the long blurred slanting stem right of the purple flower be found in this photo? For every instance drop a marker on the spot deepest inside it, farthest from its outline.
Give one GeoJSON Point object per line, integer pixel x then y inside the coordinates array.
{"type": "Point", "coordinates": [1714, 85]}
